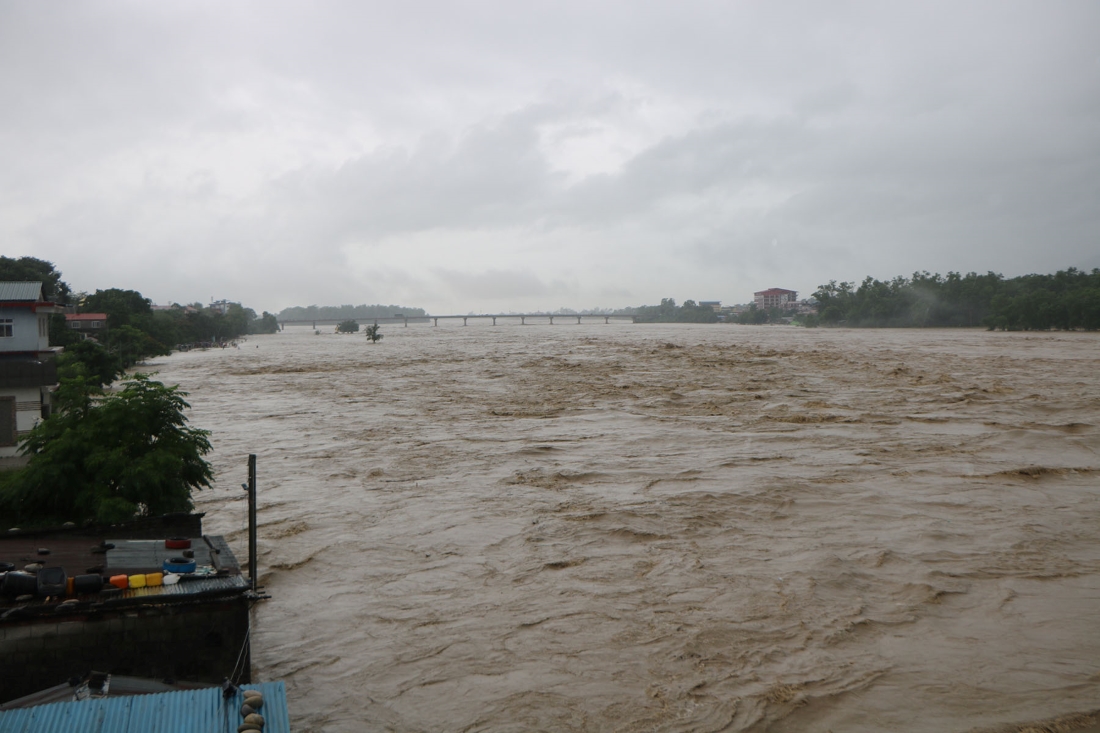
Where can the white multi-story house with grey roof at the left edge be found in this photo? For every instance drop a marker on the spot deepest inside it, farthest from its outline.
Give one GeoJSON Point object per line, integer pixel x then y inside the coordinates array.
{"type": "Point", "coordinates": [28, 371]}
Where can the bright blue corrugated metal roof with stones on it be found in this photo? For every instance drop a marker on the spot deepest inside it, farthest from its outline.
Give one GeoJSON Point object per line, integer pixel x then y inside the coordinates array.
{"type": "Point", "coordinates": [188, 712]}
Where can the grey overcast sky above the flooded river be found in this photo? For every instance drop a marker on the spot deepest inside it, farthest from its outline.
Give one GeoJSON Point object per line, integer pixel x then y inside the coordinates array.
{"type": "Point", "coordinates": [491, 157]}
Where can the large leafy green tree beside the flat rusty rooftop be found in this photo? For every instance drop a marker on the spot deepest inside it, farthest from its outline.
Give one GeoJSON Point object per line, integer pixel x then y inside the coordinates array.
{"type": "Point", "coordinates": [109, 458]}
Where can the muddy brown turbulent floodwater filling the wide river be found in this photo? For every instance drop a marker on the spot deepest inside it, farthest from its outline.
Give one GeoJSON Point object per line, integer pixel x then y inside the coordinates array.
{"type": "Point", "coordinates": [629, 528]}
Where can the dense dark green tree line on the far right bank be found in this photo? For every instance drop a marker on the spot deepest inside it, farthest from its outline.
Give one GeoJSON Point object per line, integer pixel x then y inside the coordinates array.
{"type": "Point", "coordinates": [1068, 300]}
